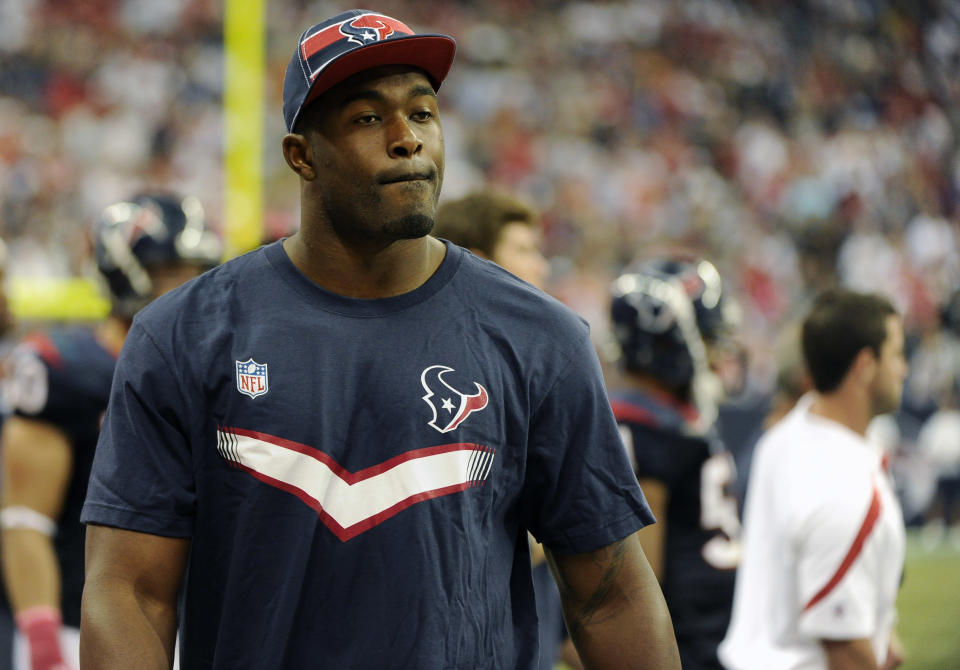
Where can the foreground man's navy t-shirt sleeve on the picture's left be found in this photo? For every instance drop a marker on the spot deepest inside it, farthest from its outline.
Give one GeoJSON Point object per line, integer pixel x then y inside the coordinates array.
{"type": "Point", "coordinates": [142, 476]}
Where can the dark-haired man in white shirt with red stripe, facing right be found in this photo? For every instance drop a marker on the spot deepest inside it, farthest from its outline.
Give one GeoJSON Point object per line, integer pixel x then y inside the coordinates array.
{"type": "Point", "coordinates": [823, 530]}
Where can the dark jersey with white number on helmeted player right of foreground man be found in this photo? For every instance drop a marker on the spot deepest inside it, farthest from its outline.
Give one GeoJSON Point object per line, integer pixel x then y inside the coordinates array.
{"type": "Point", "coordinates": [702, 542]}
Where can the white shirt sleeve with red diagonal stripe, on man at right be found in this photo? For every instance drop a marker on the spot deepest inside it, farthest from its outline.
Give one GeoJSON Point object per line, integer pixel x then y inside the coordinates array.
{"type": "Point", "coordinates": [836, 580]}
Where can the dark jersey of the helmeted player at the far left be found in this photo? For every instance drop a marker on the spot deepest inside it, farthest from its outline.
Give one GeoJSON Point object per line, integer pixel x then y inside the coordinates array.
{"type": "Point", "coordinates": [62, 377]}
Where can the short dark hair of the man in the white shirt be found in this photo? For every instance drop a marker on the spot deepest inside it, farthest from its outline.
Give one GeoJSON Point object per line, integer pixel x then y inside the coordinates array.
{"type": "Point", "coordinates": [839, 325]}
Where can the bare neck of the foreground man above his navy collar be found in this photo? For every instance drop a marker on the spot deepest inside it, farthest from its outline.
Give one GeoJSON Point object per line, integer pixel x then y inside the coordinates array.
{"type": "Point", "coordinates": [368, 272]}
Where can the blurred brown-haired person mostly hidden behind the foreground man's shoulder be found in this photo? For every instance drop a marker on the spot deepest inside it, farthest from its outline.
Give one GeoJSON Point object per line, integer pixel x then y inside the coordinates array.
{"type": "Point", "coordinates": [504, 229]}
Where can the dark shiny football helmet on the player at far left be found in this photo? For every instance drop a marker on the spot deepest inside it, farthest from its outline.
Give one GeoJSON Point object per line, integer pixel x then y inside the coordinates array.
{"type": "Point", "coordinates": [149, 230]}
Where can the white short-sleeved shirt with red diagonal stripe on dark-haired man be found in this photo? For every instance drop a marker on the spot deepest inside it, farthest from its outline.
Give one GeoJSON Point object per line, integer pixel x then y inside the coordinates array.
{"type": "Point", "coordinates": [824, 544]}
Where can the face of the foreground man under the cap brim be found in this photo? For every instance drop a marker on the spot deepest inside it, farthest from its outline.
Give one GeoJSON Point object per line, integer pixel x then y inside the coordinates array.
{"type": "Point", "coordinates": [377, 150]}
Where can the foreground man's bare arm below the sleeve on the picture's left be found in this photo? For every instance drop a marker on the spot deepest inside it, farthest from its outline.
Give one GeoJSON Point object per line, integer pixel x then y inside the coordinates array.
{"type": "Point", "coordinates": [129, 611]}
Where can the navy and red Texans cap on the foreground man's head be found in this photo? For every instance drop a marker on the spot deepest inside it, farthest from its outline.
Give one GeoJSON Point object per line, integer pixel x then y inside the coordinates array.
{"type": "Point", "coordinates": [353, 41]}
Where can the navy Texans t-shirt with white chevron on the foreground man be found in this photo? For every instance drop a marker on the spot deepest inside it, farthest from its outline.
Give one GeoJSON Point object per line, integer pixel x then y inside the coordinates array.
{"type": "Point", "coordinates": [357, 476]}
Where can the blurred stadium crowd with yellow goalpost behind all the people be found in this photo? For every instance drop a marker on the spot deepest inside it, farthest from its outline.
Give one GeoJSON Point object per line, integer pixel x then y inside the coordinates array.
{"type": "Point", "coordinates": [795, 144]}
